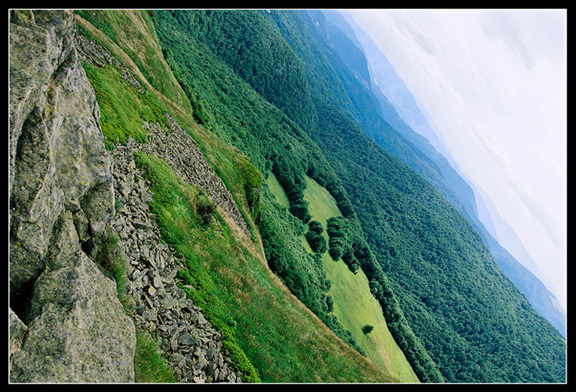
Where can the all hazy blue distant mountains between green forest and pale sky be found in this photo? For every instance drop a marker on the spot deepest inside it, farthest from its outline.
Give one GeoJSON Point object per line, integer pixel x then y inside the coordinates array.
{"type": "Point", "coordinates": [339, 38]}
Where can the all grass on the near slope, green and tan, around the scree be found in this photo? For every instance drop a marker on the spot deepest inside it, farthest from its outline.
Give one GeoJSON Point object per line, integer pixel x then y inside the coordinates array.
{"type": "Point", "coordinates": [270, 334]}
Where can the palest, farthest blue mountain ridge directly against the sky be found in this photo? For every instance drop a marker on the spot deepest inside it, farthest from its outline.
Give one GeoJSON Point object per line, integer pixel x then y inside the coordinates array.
{"type": "Point", "coordinates": [401, 110]}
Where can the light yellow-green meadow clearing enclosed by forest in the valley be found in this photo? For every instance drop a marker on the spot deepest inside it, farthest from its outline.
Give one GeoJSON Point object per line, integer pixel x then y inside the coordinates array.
{"type": "Point", "coordinates": [354, 305]}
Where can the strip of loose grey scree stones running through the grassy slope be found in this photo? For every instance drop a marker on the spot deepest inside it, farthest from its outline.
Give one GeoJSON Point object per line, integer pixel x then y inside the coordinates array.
{"type": "Point", "coordinates": [187, 340]}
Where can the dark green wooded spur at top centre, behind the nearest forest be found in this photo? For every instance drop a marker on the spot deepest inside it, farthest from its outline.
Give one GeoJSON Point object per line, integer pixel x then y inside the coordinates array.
{"type": "Point", "coordinates": [257, 53]}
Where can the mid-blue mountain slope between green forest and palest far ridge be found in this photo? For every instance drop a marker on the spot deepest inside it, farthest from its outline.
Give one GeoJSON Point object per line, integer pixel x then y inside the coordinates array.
{"type": "Point", "coordinates": [384, 125]}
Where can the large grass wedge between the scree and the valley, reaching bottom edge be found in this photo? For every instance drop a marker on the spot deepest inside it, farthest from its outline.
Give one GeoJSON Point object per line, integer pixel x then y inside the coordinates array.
{"type": "Point", "coordinates": [263, 326]}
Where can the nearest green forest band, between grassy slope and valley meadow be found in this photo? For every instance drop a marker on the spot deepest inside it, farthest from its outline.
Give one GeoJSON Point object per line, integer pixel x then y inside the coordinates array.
{"type": "Point", "coordinates": [227, 105]}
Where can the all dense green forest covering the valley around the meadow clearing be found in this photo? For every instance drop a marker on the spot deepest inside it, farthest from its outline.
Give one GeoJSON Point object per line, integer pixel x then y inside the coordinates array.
{"type": "Point", "coordinates": [267, 83]}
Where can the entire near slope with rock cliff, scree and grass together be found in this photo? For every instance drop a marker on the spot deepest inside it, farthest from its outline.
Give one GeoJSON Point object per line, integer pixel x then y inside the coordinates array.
{"type": "Point", "coordinates": [166, 209]}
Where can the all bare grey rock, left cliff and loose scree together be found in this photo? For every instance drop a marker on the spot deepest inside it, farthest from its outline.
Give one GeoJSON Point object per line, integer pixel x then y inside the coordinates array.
{"type": "Point", "coordinates": [66, 322]}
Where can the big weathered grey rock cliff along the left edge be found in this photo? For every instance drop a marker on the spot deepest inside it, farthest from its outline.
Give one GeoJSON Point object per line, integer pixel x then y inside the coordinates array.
{"type": "Point", "coordinates": [66, 323]}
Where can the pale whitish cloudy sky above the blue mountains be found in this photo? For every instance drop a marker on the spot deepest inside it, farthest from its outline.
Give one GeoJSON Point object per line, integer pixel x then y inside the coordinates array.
{"type": "Point", "coordinates": [494, 85]}
